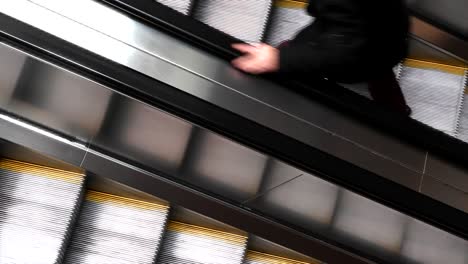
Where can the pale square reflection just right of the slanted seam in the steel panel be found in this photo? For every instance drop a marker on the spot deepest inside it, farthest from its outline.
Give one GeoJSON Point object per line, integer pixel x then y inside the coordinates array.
{"type": "Point", "coordinates": [307, 201]}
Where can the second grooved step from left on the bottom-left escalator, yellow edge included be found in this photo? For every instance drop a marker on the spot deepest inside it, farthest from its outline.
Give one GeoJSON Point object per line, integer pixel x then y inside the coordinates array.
{"type": "Point", "coordinates": [113, 229]}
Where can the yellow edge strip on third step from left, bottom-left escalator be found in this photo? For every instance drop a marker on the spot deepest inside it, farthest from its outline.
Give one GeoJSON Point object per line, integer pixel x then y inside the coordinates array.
{"type": "Point", "coordinates": [207, 232]}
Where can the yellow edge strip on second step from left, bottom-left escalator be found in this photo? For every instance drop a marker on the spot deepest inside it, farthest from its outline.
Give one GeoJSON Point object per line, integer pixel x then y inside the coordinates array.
{"type": "Point", "coordinates": [100, 197]}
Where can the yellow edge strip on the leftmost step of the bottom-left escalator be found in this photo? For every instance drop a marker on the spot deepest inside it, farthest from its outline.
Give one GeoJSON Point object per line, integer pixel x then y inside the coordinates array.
{"type": "Point", "coordinates": [43, 171]}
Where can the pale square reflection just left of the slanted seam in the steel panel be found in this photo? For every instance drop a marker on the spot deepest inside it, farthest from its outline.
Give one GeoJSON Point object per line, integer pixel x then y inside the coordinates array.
{"type": "Point", "coordinates": [224, 167]}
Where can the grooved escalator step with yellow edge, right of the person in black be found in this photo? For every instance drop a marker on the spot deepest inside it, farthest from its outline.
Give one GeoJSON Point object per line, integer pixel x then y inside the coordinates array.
{"type": "Point", "coordinates": [434, 92]}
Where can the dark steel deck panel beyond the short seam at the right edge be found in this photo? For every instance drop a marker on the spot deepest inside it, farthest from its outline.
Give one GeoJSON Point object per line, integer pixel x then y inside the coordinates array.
{"type": "Point", "coordinates": [447, 172]}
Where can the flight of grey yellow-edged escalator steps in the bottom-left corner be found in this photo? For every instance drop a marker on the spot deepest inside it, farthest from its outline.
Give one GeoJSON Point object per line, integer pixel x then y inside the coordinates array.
{"type": "Point", "coordinates": [50, 216]}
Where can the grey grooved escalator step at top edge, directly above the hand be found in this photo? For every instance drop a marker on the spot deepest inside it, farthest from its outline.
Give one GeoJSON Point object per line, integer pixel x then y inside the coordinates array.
{"type": "Point", "coordinates": [243, 19]}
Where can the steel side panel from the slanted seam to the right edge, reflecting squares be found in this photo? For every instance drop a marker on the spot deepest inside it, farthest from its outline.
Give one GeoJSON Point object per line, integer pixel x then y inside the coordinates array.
{"type": "Point", "coordinates": [339, 214]}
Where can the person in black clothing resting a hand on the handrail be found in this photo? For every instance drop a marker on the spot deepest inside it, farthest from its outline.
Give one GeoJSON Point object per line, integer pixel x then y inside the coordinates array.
{"type": "Point", "coordinates": [350, 41]}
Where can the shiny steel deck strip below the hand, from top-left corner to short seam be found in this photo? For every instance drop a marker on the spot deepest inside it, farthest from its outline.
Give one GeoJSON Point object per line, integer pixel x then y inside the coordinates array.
{"type": "Point", "coordinates": [162, 57]}
